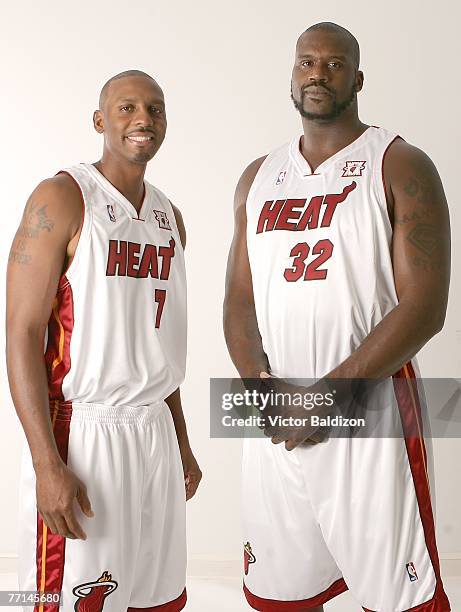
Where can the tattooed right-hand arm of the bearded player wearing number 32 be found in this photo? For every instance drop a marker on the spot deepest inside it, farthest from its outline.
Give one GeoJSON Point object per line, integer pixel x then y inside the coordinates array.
{"type": "Point", "coordinates": [421, 261]}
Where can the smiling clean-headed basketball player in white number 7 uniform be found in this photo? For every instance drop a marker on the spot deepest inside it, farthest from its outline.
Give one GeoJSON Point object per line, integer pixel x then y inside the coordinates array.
{"type": "Point", "coordinates": [98, 264]}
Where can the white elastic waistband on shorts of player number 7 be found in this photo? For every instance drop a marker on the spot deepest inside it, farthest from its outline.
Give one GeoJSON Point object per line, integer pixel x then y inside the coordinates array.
{"type": "Point", "coordinates": [103, 413]}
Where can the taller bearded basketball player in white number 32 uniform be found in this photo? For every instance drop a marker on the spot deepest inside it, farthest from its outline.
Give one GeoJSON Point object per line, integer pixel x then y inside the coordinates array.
{"type": "Point", "coordinates": [339, 269]}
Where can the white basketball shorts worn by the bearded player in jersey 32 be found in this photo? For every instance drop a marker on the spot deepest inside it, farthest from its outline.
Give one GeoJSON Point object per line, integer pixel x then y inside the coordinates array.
{"type": "Point", "coordinates": [348, 513]}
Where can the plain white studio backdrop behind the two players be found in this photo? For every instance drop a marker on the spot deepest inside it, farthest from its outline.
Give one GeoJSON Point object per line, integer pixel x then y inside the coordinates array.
{"type": "Point", "coordinates": [225, 69]}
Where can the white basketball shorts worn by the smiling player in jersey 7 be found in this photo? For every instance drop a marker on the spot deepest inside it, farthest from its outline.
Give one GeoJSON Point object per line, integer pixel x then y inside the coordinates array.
{"type": "Point", "coordinates": [134, 557]}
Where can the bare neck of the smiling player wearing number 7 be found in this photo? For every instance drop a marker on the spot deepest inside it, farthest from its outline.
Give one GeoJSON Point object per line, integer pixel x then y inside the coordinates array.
{"type": "Point", "coordinates": [128, 178]}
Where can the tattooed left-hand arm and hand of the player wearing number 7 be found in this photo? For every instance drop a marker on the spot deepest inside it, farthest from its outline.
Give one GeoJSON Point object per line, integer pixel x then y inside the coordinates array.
{"type": "Point", "coordinates": [39, 253]}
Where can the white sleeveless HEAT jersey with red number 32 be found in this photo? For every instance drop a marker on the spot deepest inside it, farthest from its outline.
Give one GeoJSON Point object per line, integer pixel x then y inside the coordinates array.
{"type": "Point", "coordinates": [319, 245]}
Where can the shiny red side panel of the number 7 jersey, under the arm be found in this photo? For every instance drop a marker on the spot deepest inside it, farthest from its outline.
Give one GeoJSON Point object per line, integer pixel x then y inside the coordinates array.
{"type": "Point", "coordinates": [60, 326]}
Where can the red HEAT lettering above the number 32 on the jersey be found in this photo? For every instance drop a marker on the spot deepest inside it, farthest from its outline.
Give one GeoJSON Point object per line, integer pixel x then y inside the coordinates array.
{"type": "Point", "coordinates": [294, 215]}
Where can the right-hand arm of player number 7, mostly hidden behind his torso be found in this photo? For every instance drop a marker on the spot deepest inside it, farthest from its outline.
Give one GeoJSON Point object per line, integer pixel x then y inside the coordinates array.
{"type": "Point", "coordinates": [192, 472]}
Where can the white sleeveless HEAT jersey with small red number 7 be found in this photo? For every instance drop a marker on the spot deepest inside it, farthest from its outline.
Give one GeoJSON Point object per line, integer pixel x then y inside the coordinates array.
{"type": "Point", "coordinates": [117, 333]}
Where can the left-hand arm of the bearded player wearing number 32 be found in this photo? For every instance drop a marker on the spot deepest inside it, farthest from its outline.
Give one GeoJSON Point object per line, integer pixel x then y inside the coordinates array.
{"type": "Point", "coordinates": [240, 323]}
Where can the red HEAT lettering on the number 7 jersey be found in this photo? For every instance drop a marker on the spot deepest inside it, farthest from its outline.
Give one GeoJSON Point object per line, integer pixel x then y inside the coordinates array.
{"type": "Point", "coordinates": [131, 259]}
